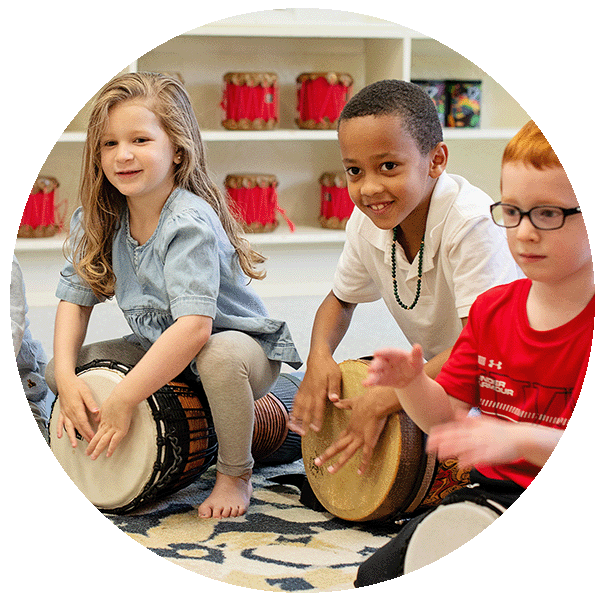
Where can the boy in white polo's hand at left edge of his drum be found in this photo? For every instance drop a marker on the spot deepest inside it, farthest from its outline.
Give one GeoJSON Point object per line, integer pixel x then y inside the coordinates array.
{"type": "Point", "coordinates": [322, 382]}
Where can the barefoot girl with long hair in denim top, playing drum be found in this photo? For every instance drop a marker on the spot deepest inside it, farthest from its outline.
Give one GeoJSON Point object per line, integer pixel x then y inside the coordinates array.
{"type": "Point", "coordinates": [155, 232]}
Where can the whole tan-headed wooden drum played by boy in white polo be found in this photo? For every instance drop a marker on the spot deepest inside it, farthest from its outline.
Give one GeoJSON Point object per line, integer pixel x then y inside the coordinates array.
{"type": "Point", "coordinates": [401, 479]}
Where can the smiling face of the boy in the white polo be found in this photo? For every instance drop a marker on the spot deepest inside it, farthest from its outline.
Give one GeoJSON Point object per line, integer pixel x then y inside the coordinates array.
{"type": "Point", "coordinates": [389, 179]}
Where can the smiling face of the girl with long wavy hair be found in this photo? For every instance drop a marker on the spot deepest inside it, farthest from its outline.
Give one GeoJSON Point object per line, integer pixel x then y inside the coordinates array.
{"type": "Point", "coordinates": [137, 156]}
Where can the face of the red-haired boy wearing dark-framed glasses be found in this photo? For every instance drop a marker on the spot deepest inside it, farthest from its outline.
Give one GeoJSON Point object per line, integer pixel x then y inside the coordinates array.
{"type": "Point", "coordinates": [553, 257]}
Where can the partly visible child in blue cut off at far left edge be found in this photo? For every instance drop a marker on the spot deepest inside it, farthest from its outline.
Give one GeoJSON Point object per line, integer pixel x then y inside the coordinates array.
{"type": "Point", "coordinates": [31, 359]}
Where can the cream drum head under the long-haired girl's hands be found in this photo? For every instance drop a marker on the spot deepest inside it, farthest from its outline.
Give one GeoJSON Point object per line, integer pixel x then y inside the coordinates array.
{"type": "Point", "coordinates": [109, 483]}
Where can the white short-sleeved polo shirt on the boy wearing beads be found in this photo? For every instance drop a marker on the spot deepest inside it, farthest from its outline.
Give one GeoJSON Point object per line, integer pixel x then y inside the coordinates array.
{"type": "Point", "coordinates": [465, 254]}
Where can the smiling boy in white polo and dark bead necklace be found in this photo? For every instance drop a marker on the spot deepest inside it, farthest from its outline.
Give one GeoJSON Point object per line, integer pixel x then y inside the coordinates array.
{"type": "Point", "coordinates": [420, 239]}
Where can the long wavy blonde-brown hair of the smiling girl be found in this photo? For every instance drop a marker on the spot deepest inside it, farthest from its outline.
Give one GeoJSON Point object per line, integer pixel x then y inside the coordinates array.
{"type": "Point", "coordinates": [103, 204]}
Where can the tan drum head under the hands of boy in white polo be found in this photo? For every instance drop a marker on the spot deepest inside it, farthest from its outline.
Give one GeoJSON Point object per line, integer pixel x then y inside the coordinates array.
{"type": "Point", "coordinates": [346, 494]}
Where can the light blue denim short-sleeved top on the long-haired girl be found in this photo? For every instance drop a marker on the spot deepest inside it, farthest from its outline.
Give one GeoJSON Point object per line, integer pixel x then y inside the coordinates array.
{"type": "Point", "coordinates": [187, 267]}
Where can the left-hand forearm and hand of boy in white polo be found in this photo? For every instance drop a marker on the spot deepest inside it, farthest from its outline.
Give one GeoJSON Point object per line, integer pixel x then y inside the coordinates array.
{"type": "Point", "coordinates": [322, 380]}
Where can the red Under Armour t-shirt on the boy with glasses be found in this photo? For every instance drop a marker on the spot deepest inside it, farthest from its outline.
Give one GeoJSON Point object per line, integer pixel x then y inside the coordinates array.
{"type": "Point", "coordinates": [509, 370]}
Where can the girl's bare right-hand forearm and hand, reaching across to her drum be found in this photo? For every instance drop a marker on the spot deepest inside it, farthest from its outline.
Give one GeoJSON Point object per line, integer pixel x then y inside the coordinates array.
{"type": "Point", "coordinates": [167, 358]}
